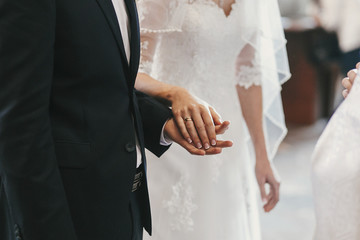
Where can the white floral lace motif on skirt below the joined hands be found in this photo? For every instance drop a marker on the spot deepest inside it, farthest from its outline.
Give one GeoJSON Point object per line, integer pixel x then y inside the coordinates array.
{"type": "Point", "coordinates": [181, 206]}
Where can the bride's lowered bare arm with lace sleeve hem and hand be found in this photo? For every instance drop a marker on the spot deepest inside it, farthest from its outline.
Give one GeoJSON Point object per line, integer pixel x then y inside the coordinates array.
{"type": "Point", "coordinates": [250, 95]}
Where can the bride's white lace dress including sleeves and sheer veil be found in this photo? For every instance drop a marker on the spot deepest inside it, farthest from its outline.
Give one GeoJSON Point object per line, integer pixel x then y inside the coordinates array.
{"type": "Point", "coordinates": [192, 43]}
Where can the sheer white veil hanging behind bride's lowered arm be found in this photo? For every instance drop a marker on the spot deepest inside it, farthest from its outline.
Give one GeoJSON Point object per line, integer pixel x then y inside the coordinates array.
{"type": "Point", "coordinates": [264, 32]}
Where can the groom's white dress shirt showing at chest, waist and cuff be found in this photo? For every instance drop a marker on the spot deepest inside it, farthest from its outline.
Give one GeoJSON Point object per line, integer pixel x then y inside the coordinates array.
{"type": "Point", "coordinates": [123, 19]}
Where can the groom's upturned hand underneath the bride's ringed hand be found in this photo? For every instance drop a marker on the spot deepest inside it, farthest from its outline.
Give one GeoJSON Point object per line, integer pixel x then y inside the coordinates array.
{"type": "Point", "coordinates": [172, 132]}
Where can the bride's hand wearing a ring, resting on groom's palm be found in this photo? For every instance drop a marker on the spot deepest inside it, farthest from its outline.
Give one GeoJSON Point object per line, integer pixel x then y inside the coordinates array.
{"type": "Point", "coordinates": [198, 122]}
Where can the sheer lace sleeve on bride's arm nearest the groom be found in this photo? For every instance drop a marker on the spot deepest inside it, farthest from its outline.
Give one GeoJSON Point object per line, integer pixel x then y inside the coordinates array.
{"type": "Point", "coordinates": [157, 17]}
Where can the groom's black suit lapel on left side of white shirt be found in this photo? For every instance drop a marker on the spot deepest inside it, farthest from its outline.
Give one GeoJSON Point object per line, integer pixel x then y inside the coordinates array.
{"type": "Point", "coordinates": [110, 14]}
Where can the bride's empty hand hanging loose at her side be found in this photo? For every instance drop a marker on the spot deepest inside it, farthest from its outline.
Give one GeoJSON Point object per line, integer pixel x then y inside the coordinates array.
{"type": "Point", "coordinates": [265, 175]}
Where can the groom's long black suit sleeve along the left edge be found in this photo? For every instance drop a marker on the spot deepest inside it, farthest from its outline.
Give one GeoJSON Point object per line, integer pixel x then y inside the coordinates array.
{"type": "Point", "coordinates": [28, 168]}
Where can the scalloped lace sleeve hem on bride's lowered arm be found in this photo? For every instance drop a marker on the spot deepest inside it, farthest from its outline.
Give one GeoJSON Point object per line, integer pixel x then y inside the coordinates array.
{"type": "Point", "coordinates": [248, 76]}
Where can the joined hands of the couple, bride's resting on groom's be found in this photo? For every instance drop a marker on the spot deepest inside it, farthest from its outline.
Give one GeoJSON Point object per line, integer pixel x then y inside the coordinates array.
{"type": "Point", "coordinates": [195, 125]}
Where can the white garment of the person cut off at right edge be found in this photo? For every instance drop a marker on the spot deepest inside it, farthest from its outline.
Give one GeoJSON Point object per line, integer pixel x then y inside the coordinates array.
{"type": "Point", "coordinates": [336, 173]}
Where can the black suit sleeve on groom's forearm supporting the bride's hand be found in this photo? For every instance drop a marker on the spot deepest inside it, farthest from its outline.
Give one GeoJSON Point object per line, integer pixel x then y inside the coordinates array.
{"type": "Point", "coordinates": [154, 115]}
